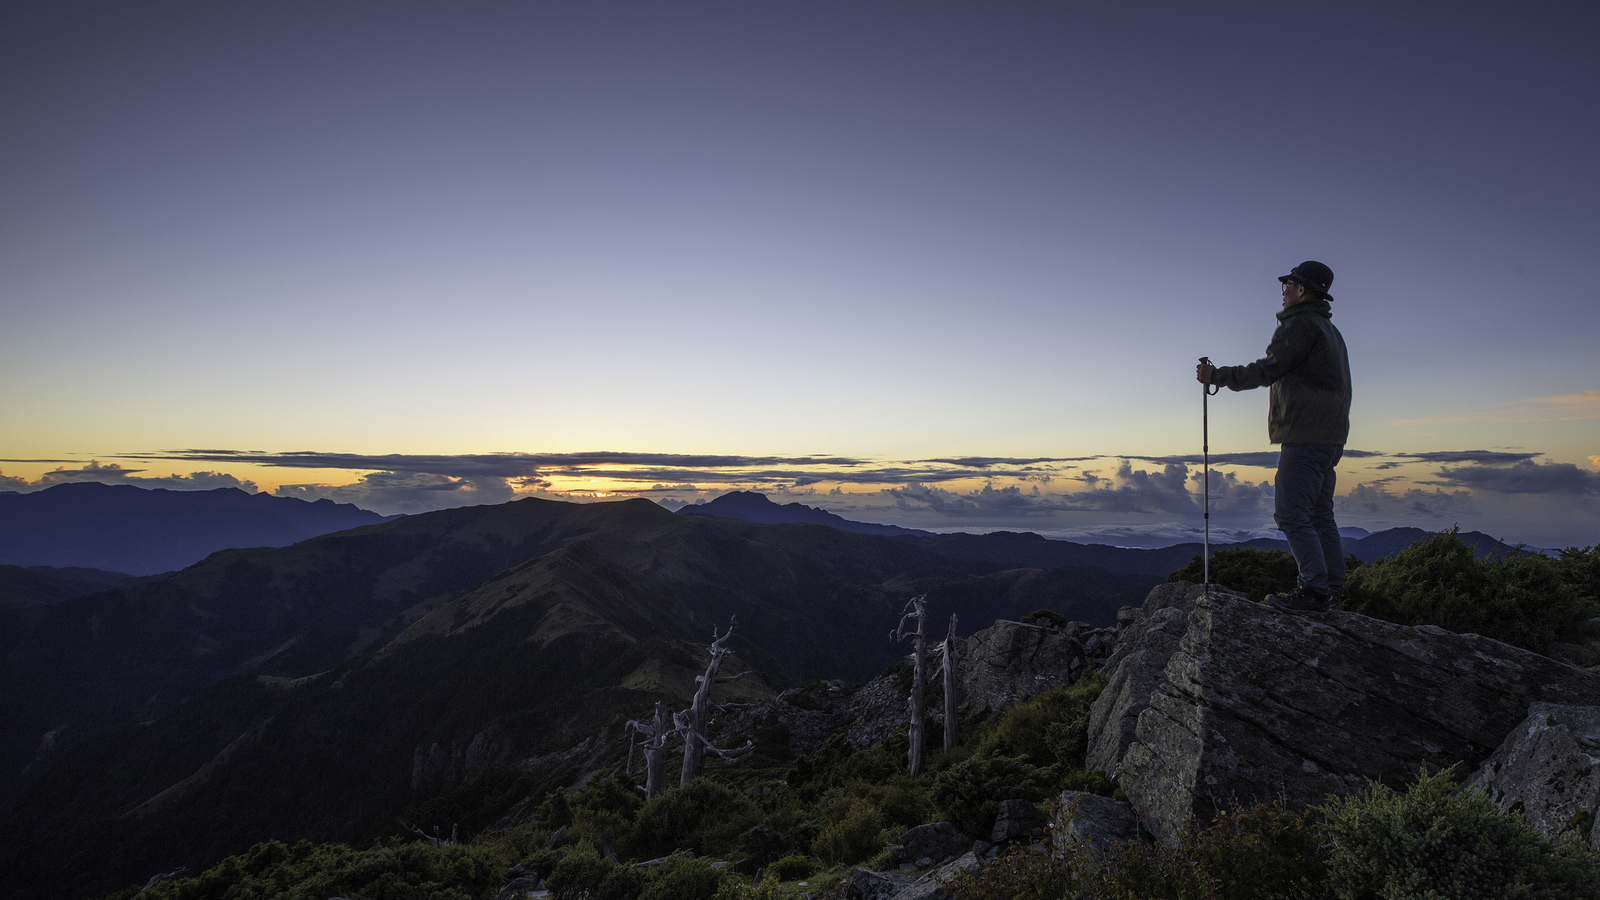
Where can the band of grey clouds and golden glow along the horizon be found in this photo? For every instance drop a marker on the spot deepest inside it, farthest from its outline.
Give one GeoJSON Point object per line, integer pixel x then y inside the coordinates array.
{"type": "Point", "coordinates": [1060, 497]}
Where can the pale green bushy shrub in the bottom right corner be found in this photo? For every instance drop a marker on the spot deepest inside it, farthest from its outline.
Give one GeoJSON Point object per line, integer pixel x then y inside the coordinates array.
{"type": "Point", "coordinates": [1439, 840]}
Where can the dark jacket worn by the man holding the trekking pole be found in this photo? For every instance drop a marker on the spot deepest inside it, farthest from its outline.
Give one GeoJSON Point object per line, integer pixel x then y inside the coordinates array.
{"type": "Point", "coordinates": [1310, 374]}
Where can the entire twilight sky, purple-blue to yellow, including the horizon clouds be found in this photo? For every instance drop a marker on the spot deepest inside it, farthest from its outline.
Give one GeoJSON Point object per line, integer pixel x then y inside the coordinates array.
{"type": "Point", "coordinates": [938, 265]}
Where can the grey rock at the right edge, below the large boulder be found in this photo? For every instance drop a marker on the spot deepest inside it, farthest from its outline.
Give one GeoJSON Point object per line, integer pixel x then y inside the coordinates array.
{"type": "Point", "coordinates": [1550, 769]}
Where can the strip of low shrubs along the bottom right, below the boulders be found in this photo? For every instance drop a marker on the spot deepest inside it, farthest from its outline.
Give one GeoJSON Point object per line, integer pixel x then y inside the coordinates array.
{"type": "Point", "coordinates": [1433, 842]}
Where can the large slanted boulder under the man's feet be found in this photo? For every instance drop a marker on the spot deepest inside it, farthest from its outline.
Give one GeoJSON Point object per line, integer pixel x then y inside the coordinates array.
{"type": "Point", "coordinates": [1252, 705]}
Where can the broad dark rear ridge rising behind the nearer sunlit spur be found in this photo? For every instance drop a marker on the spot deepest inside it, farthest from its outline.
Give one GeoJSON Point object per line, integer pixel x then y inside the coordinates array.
{"type": "Point", "coordinates": [814, 603]}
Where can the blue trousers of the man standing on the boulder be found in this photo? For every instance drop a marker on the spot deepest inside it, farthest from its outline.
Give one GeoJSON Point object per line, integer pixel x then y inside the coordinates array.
{"type": "Point", "coordinates": [1303, 507]}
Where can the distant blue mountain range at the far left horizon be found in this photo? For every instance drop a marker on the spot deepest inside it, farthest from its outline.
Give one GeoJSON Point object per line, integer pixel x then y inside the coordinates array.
{"type": "Point", "coordinates": [143, 532]}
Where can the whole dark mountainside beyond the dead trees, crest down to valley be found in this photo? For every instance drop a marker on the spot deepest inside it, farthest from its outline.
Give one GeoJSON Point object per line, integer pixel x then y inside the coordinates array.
{"type": "Point", "coordinates": [324, 689]}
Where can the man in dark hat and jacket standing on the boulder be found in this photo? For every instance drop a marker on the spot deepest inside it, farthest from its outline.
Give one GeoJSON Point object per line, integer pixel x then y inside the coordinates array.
{"type": "Point", "coordinates": [1310, 416]}
